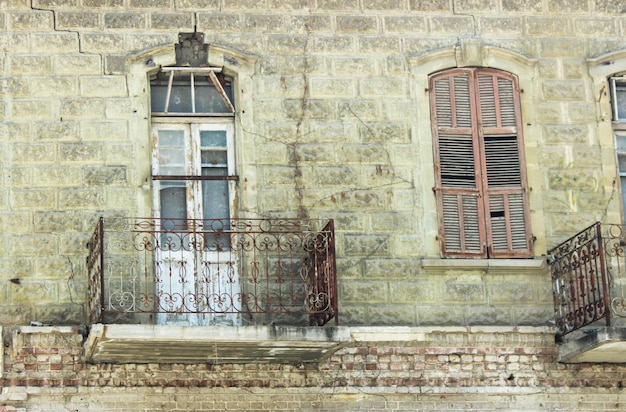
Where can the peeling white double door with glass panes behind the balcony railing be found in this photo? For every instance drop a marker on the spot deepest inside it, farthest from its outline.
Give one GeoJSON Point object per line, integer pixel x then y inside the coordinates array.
{"type": "Point", "coordinates": [196, 276]}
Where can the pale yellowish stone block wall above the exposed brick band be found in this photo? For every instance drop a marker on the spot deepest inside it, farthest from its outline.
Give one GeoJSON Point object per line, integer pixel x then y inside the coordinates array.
{"type": "Point", "coordinates": [333, 122]}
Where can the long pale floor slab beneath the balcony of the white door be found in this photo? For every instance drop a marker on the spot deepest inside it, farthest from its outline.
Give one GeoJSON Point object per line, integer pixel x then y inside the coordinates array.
{"type": "Point", "coordinates": [213, 345]}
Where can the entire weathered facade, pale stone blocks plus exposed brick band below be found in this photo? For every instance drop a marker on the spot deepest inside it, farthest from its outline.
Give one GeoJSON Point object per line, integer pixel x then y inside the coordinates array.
{"type": "Point", "coordinates": [333, 121]}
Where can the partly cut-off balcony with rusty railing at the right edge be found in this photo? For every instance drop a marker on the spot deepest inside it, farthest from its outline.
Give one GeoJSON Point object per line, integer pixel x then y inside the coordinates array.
{"type": "Point", "coordinates": [588, 277]}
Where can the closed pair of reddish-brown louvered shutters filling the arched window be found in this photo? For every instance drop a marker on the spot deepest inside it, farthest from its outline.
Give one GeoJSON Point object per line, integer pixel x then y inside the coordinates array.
{"type": "Point", "coordinates": [480, 182]}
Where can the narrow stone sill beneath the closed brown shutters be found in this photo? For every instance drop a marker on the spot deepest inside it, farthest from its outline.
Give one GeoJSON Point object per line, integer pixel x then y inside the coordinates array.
{"type": "Point", "coordinates": [535, 265]}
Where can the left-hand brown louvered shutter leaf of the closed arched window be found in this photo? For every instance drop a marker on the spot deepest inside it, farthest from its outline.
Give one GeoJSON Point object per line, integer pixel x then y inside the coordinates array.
{"type": "Point", "coordinates": [457, 188]}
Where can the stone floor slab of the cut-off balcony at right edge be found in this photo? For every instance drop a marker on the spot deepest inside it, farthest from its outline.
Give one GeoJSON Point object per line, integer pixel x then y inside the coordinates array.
{"type": "Point", "coordinates": [595, 344]}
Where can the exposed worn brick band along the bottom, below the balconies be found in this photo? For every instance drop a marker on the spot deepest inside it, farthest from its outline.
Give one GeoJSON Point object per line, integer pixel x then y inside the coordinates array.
{"type": "Point", "coordinates": [451, 369]}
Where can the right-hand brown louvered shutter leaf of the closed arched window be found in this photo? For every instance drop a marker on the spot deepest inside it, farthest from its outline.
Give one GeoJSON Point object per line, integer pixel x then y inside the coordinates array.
{"type": "Point", "coordinates": [503, 165]}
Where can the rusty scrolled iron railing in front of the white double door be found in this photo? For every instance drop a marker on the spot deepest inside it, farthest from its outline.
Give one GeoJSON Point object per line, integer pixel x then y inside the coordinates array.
{"type": "Point", "coordinates": [212, 272]}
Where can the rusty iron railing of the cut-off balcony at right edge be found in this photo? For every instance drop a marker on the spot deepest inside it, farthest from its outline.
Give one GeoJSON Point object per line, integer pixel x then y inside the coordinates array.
{"type": "Point", "coordinates": [582, 270]}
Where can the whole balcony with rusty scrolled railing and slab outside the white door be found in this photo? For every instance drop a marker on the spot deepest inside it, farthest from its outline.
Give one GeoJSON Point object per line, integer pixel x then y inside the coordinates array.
{"type": "Point", "coordinates": [259, 282]}
